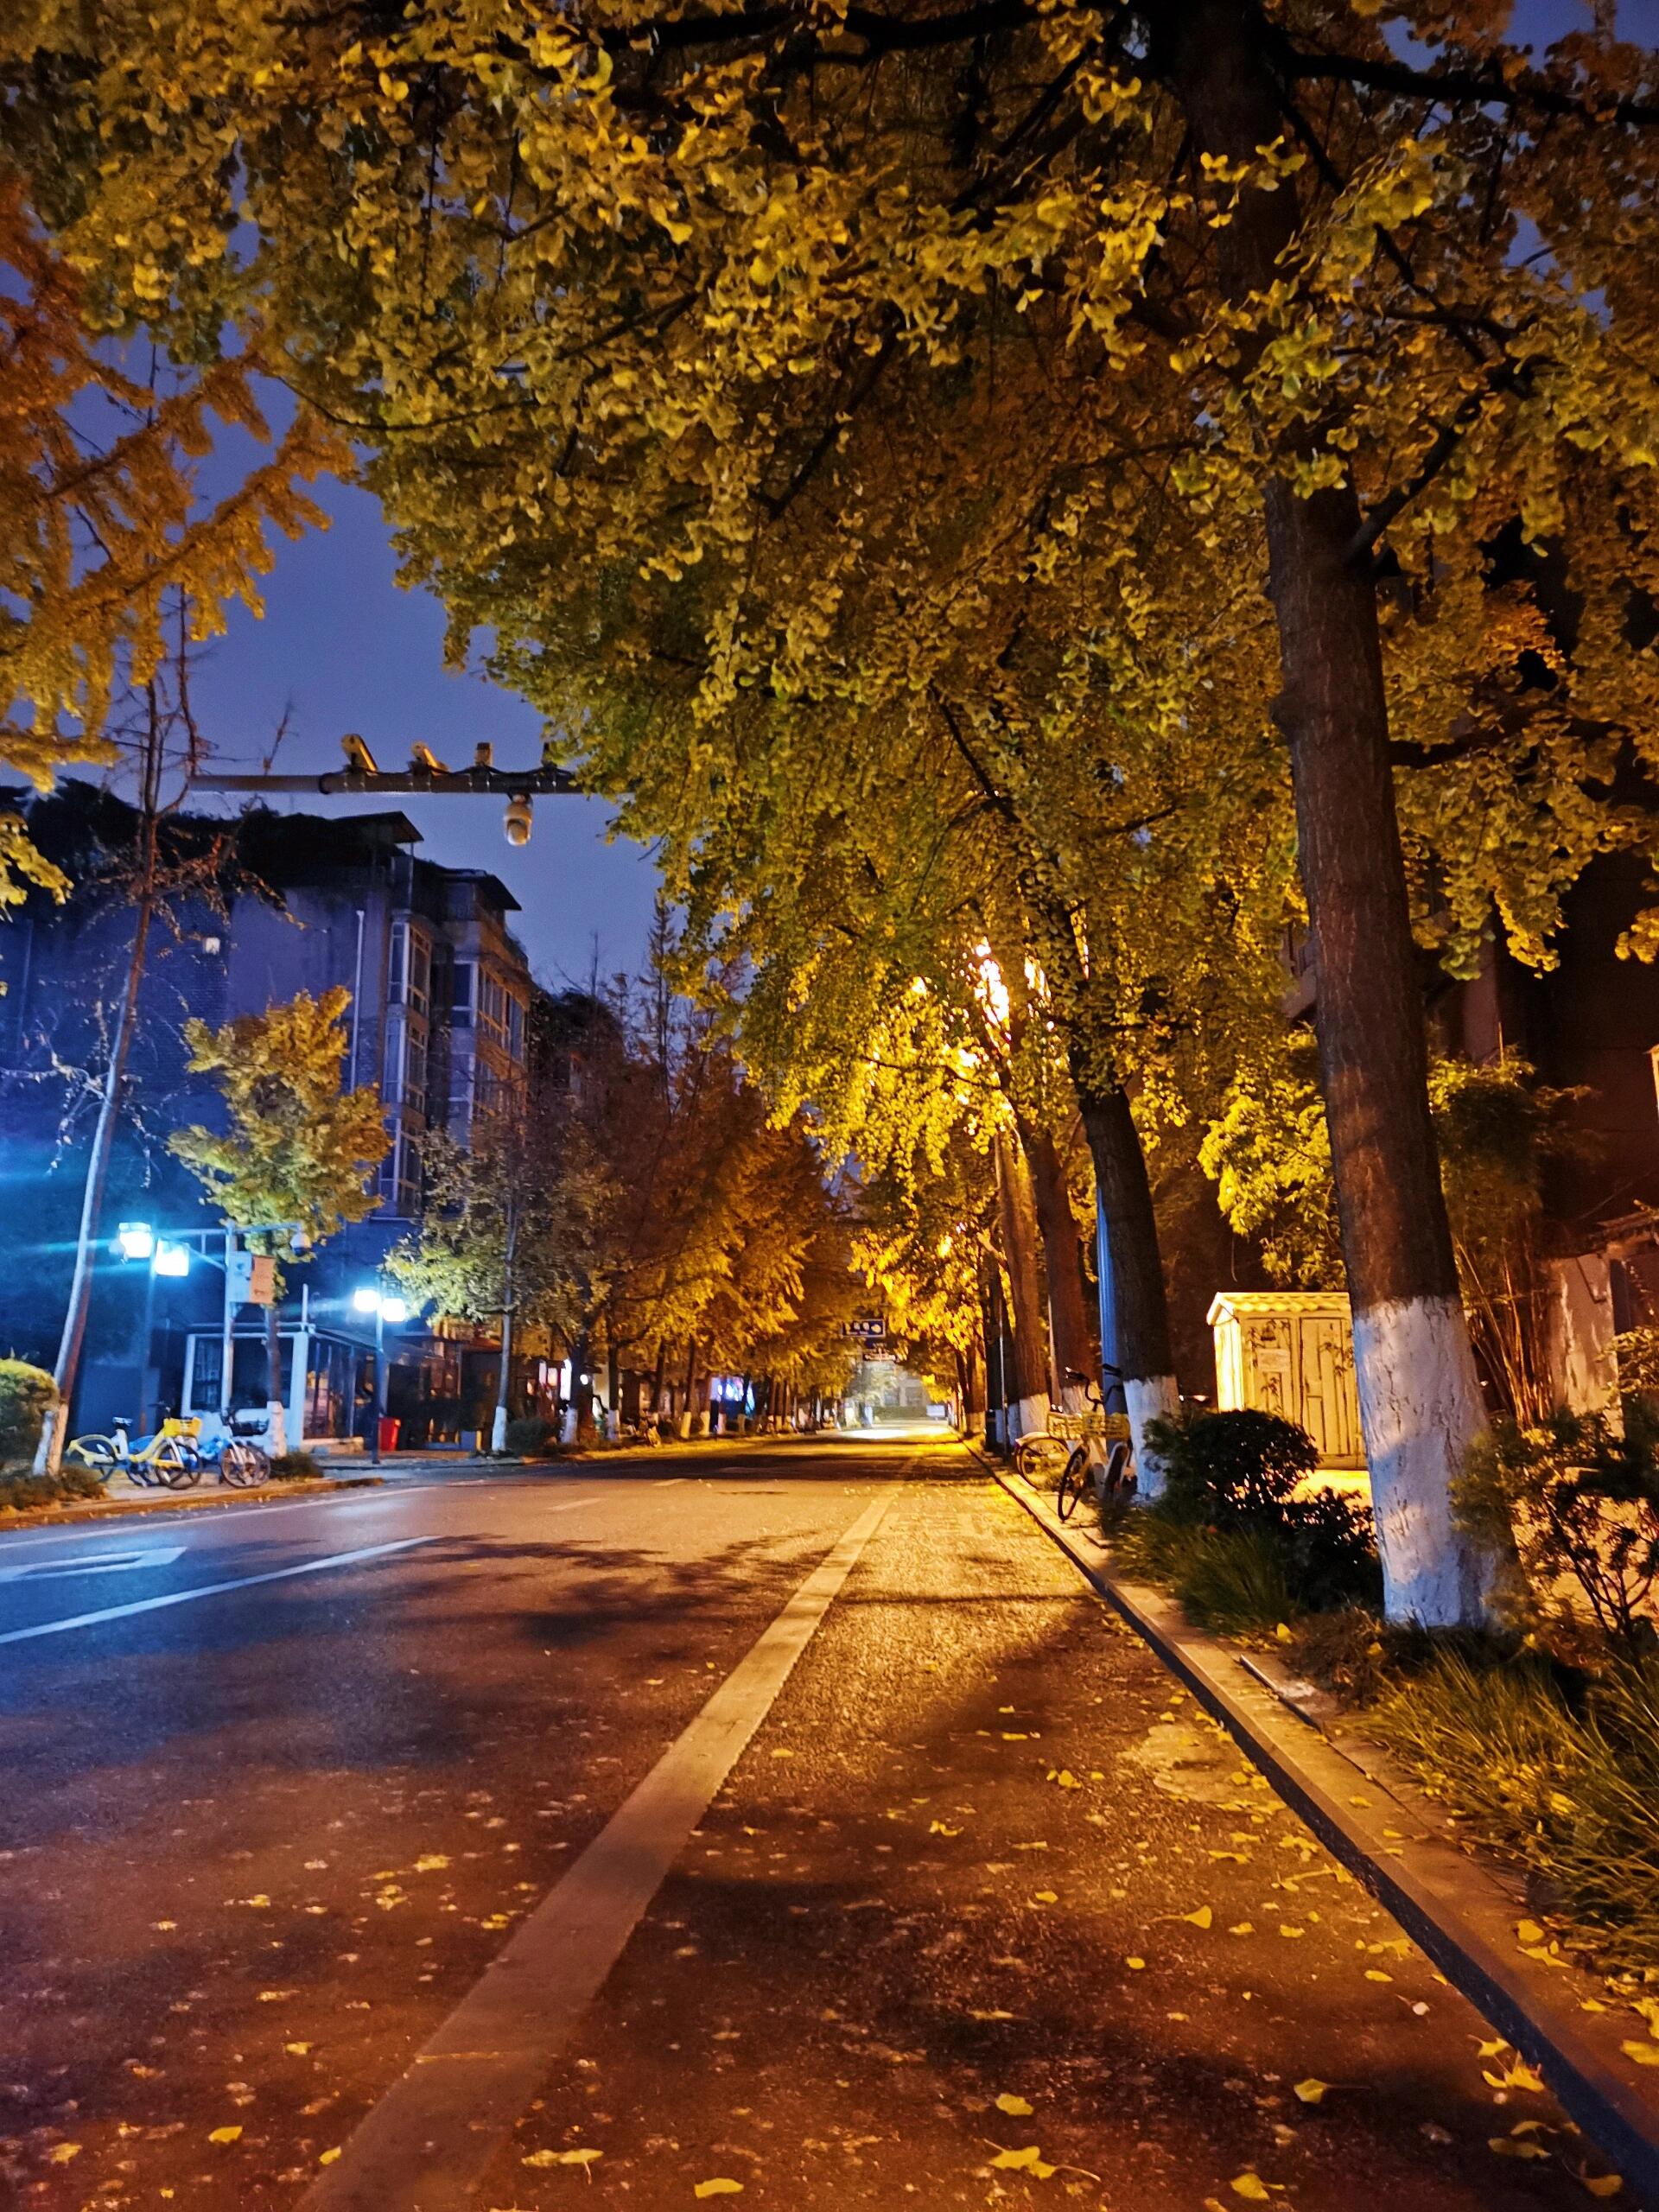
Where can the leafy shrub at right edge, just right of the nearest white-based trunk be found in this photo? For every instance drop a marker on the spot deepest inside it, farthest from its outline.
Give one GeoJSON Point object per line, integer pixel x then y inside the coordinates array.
{"type": "Point", "coordinates": [1572, 1507]}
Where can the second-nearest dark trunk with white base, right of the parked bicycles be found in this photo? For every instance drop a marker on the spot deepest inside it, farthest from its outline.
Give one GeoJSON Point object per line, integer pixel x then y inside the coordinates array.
{"type": "Point", "coordinates": [1138, 1366]}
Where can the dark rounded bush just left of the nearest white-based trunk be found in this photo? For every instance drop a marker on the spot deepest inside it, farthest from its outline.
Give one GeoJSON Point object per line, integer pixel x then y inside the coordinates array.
{"type": "Point", "coordinates": [1238, 1536]}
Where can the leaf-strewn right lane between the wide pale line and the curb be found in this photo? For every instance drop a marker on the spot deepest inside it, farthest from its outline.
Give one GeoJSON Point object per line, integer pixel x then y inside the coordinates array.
{"type": "Point", "coordinates": [992, 1914]}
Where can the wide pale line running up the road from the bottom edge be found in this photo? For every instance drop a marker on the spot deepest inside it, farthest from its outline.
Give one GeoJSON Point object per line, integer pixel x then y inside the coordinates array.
{"type": "Point", "coordinates": [432, 2138]}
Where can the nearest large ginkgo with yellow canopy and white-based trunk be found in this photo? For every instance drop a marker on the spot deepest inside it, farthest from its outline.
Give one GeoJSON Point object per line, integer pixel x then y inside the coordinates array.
{"type": "Point", "coordinates": [636, 295]}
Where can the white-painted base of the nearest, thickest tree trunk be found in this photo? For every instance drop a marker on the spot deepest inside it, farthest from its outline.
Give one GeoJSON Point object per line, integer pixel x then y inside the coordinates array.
{"type": "Point", "coordinates": [1421, 1410]}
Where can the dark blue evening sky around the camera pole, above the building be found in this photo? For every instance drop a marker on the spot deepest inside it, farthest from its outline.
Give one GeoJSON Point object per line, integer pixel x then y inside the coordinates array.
{"type": "Point", "coordinates": [344, 649]}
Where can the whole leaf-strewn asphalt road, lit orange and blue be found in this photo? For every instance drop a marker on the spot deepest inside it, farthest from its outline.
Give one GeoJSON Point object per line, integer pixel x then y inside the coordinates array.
{"type": "Point", "coordinates": [948, 1897]}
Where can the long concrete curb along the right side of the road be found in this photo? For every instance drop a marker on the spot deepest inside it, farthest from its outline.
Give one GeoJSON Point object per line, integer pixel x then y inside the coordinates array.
{"type": "Point", "coordinates": [1454, 1910]}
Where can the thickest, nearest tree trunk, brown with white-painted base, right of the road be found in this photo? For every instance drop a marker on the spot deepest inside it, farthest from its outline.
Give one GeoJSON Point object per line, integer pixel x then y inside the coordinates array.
{"type": "Point", "coordinates": [1412, 1361]}
